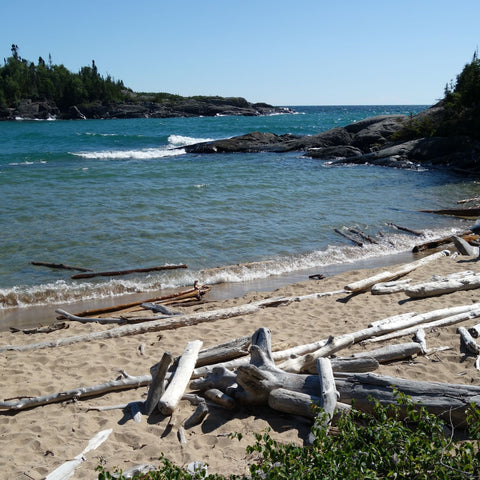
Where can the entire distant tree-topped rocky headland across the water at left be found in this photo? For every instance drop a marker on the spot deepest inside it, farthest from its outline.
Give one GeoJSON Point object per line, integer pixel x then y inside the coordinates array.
{"type": "Point", "coordinates": [45, 90]}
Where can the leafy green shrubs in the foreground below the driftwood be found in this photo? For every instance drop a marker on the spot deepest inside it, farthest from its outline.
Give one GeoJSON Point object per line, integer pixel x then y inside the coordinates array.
{"type": "Point", "coordinates": [396, 442]}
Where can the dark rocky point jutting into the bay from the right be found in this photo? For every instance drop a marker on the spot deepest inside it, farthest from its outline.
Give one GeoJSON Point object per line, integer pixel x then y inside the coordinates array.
{"type": "Point", "coordinates": [373, 141]}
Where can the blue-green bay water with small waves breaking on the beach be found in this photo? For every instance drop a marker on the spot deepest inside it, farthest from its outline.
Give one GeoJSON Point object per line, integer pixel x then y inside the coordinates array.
{"type": "Point", "coordinates": [121, 194]}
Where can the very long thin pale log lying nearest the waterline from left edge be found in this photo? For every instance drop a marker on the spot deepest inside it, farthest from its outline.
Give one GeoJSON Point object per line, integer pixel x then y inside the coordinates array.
{"type": "Point", "coordinates": [170, 323]}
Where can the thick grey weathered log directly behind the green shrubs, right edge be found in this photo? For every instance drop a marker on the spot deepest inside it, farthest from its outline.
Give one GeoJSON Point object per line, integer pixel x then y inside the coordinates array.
{"type": "Point", "coordinates": [448, 401]}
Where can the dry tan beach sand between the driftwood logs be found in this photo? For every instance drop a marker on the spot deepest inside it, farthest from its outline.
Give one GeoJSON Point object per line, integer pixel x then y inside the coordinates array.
{"type": "Point", "coordinates": [34, 442]}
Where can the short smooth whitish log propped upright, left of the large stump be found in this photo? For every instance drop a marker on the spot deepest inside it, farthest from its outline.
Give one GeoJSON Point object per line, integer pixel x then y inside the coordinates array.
{"type": "Point", "coordinates": [181, 377]}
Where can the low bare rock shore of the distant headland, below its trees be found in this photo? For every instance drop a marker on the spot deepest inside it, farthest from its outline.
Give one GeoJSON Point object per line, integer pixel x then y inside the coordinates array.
{"type": "Point", "coordinates": [182, 107]}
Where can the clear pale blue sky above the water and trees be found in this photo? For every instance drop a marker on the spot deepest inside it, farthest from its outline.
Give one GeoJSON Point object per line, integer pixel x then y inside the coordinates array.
{"type": "Point", "coordinates": [296, 52]}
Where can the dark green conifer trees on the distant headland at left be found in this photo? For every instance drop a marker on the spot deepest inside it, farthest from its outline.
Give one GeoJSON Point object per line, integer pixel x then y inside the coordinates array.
{"type": "Point", "coordinates": [20, 78]}
